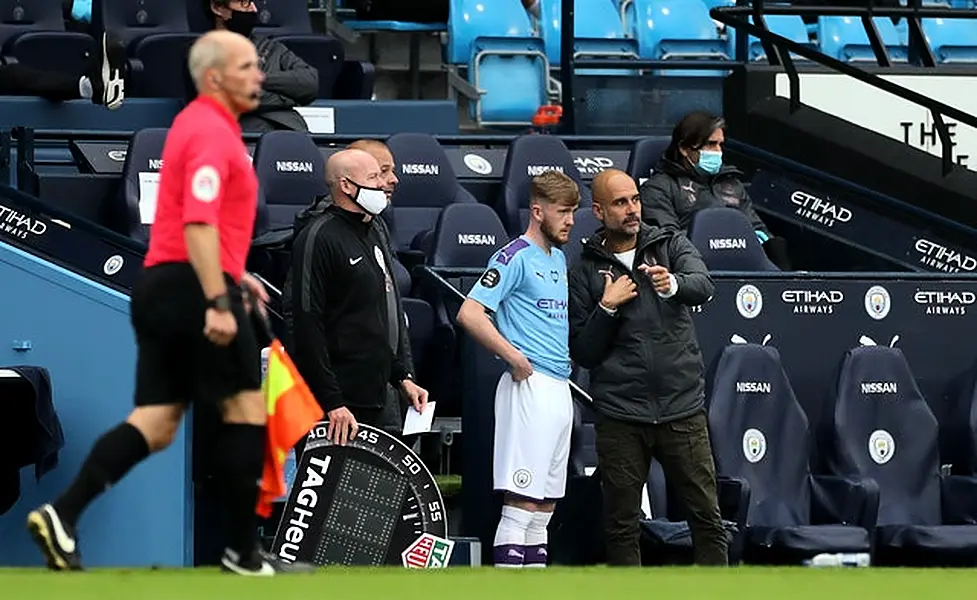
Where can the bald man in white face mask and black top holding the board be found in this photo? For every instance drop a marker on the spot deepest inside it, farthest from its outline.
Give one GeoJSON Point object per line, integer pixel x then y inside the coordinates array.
{"type": "Point", "coordinates": [346, 324]}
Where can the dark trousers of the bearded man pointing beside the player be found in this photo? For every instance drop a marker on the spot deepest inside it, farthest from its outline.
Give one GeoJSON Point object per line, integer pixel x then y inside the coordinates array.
{"type": "Point", "coordinates": [624, 454]}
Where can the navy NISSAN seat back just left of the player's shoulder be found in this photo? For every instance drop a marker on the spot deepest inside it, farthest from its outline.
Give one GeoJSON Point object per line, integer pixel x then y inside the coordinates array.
{"type": "Point", "coordinates": [466, 235]}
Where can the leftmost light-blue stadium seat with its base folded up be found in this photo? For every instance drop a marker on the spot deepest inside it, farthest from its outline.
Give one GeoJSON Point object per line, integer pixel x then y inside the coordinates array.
{"type": "Point", "coordinates": [506, 63]}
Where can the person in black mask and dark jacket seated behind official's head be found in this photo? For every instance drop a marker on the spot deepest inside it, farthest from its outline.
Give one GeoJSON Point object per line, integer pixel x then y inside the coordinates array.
{"type": "Point", "coordinates": [289, 81]}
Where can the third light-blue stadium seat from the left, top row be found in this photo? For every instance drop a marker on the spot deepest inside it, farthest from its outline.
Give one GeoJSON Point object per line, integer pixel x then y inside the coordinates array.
{"type": "Point", "coordinates": [676, 29]}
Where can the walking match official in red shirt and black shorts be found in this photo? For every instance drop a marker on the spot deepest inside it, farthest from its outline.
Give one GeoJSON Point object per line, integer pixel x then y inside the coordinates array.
{"type": "Point", "coordinates": [190, 312]}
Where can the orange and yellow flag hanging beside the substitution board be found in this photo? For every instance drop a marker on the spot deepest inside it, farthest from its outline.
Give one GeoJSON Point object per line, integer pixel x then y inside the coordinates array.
{"type": "Point", "coordinates": [292, 412]}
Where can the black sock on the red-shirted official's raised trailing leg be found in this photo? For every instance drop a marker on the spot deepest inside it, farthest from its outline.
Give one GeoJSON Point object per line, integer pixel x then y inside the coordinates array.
{"type": "Point", "coordinates": [117, 451]}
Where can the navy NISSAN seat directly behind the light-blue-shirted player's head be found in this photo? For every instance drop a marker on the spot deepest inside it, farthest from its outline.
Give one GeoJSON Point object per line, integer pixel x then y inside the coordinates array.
{"type": "Point", "coordinates": [528, 156]}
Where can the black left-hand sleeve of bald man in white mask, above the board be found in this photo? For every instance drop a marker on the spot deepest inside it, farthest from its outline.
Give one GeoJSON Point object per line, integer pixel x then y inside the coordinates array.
{"type": "Point", "coordinates": [312, 271]}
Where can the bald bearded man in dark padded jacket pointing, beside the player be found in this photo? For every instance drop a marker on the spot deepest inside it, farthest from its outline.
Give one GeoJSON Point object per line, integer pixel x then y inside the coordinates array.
{"type": "Point", "coordinates": [630, 325]}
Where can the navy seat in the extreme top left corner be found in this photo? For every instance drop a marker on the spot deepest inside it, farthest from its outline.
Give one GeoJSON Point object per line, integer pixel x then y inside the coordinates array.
{"type": "Point", "coordinates": [32, 32]}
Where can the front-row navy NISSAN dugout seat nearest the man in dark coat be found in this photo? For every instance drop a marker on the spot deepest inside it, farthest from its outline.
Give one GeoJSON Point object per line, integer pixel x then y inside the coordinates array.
{"type": "Point", "coordinates": [759, 433]}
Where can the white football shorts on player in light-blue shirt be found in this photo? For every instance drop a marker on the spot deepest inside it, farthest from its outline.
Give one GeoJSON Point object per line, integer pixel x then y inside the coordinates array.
{"type": "Point", "coordinates": [533, 422]}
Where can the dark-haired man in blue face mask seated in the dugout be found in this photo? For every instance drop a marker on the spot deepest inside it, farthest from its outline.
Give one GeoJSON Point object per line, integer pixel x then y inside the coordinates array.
{"type": "Point", "coordinates": [691, 176]}
